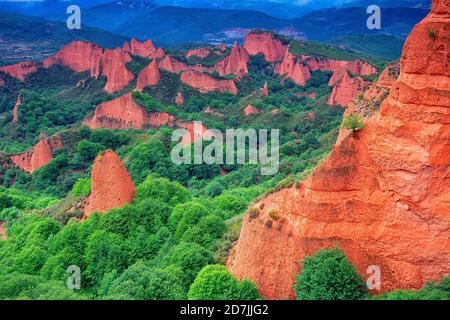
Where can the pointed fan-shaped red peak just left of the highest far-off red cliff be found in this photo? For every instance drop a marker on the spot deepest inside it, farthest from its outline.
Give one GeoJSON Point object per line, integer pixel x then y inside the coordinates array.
{"type": "Point", "coordinates": [234, 63]}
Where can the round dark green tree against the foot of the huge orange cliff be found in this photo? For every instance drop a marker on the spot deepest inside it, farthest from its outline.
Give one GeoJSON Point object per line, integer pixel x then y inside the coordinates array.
{"type": "Point", "coordinates": [328, 275]}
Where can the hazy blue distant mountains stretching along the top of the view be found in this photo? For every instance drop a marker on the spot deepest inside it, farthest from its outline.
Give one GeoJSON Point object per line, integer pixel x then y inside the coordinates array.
{"type": "Point", "coordinates": [171, 26]}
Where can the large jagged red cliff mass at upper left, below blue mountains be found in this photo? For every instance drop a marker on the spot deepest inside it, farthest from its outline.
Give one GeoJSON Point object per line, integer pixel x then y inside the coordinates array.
{"type": "Point", "coordinates": [83, 56]}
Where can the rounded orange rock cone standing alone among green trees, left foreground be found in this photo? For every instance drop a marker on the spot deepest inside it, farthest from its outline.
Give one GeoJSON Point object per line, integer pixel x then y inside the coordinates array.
{"type": "Point", "coordinates": [112, 186]}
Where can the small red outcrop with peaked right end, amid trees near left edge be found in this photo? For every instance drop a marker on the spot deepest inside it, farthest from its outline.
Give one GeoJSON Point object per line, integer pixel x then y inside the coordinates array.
{"type": "Point", "coordinates": [35, 158]}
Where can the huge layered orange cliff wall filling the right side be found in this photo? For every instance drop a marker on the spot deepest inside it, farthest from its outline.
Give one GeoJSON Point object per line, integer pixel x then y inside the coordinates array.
{"type": "Point", "coordinates": [383, 194]}
